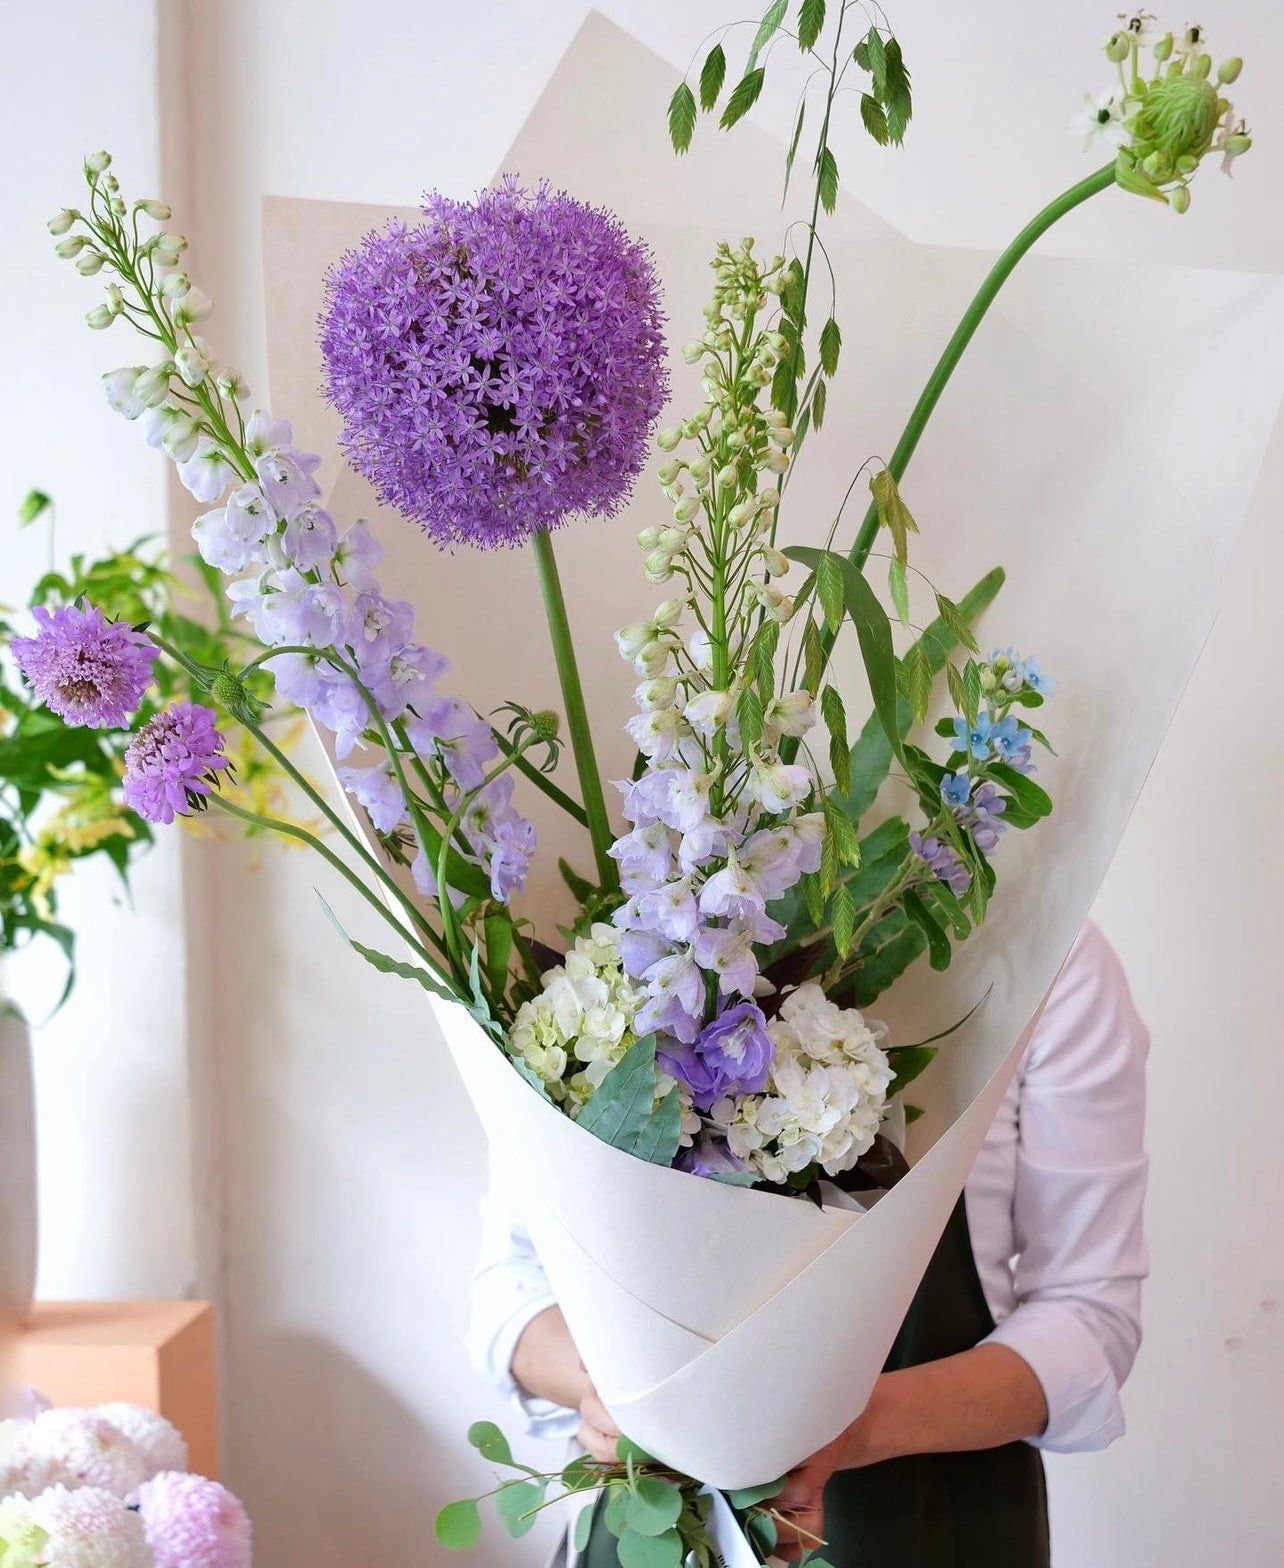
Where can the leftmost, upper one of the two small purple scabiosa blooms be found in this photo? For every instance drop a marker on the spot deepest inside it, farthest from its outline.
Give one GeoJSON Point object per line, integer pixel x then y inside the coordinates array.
{"type": "Point", "coordinates": [85, 669]}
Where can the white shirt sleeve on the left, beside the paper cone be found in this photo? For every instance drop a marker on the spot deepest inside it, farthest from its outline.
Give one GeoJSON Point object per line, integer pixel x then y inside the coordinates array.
{"type": "Point", "coordinates": [509, 1290]}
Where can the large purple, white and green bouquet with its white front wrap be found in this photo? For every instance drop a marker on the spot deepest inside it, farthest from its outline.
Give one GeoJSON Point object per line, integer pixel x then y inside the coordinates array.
{"type": "Point", "coordinates": [694, 1048]}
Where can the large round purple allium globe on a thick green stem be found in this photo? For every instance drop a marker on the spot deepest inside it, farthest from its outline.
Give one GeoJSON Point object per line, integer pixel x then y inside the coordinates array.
{"type": "Point", "coordinates": [498, 368]}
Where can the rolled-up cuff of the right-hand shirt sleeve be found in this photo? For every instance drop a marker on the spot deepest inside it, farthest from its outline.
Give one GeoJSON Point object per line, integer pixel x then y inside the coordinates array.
{"type": "Point", "coordinates": [1084, 1409]}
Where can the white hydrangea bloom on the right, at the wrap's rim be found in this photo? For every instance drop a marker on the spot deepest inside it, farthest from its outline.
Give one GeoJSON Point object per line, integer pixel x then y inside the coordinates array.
{"type": "Point", "coordinates": [825, 1100]}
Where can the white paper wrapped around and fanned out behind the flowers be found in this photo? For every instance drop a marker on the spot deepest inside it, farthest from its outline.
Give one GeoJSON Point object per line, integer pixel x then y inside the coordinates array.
{"type": "Point", "coordinates": [1086, 446]}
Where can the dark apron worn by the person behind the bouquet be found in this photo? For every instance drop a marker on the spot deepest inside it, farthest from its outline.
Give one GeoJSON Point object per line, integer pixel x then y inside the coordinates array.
{"type": "Point", "coordinates": [930, 1511]}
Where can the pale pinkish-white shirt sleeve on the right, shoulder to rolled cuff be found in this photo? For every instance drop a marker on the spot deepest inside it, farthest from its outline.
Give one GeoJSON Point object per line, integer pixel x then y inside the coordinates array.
{"type": "Point", "coordinates": [1081, 1183]}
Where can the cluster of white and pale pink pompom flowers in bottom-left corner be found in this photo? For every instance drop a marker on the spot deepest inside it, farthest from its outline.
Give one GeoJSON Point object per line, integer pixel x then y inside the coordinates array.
{"type": "Point", "coordinates": [109, 1489]}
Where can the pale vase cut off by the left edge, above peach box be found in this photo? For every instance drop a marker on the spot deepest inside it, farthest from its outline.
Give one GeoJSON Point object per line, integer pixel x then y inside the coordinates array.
{"type": "Point", "coordinates": [18, 1169]}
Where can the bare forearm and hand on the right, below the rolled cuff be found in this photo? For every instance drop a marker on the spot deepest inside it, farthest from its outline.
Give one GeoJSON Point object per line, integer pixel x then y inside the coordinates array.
{"type": "Point", "coordinates": [979, 1399]}
